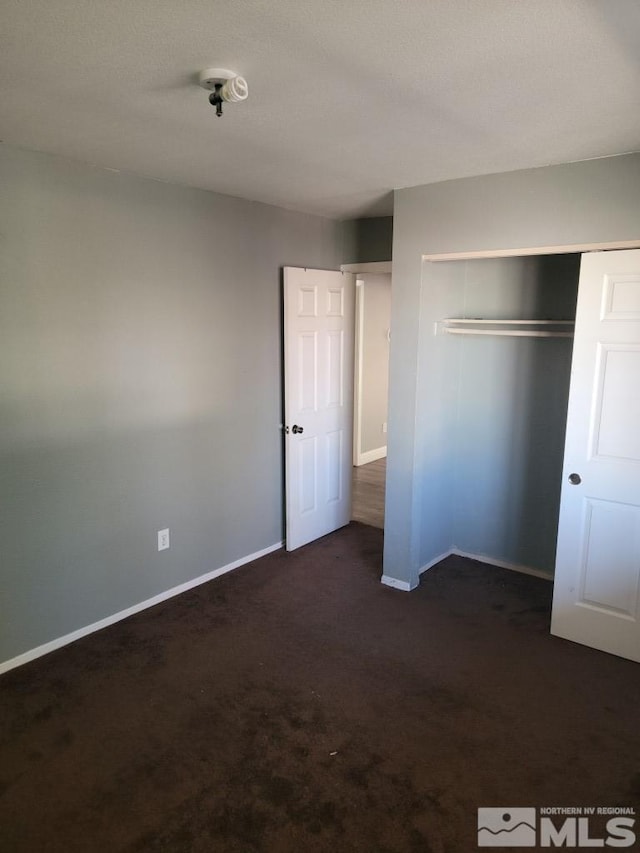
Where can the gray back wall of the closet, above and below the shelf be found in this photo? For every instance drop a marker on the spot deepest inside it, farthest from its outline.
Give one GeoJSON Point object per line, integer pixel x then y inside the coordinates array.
{"type": "Point", "coordinates": [507, 445]}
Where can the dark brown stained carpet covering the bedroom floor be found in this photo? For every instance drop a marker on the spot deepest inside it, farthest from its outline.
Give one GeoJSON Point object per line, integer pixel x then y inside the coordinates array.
{"type": "Point", "coordinates": [298, 705]}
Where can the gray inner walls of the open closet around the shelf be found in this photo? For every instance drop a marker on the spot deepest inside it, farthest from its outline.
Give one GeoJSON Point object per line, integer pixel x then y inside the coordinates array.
{"type": "Point", "coordinates": [496, 449]}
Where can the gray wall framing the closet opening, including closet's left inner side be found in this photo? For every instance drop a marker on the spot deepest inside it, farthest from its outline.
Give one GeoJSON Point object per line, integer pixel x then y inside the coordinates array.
{"type": "Point", "coordinates": [584, 202]}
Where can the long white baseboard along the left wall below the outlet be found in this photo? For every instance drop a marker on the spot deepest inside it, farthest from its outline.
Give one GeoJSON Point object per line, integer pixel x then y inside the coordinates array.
{"type": "Point", "coordinates": [58, 643]}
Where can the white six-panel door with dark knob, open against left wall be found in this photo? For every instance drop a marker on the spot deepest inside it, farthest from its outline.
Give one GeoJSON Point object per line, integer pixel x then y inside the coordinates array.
{"type": "Point", "coordinates": [318, 376]}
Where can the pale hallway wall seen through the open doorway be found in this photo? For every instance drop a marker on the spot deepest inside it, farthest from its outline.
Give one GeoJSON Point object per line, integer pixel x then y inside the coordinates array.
{"type": "Point", "coordinates": [375, 361]}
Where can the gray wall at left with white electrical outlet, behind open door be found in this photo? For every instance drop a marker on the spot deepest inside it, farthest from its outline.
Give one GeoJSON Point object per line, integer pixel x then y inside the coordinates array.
{"type": "Point", "coordinates": [140, 364]}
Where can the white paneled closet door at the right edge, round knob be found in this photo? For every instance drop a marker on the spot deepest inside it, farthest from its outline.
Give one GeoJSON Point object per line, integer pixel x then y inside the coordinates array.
{"type": "Point", "coordinates": [596, 590]}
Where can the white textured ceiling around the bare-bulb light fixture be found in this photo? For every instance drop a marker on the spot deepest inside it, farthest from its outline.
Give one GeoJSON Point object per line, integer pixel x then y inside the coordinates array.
{"type": "Point", "coordinates": [348, 99]}
